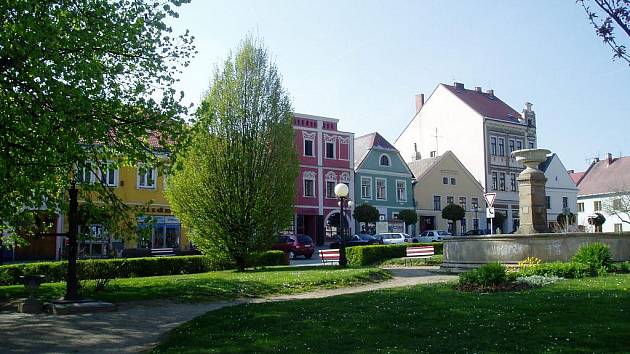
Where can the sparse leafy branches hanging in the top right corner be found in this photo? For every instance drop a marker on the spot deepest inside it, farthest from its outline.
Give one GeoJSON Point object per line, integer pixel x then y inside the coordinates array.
{"type": "Point", "coordinates": [607, 16]}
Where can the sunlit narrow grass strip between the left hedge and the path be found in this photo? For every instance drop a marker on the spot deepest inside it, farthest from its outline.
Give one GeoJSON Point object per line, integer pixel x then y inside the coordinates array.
{"type": "Point", "coordinates": [214, 285]}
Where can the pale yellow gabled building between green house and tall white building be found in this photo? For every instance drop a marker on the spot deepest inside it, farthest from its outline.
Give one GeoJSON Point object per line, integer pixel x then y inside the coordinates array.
{"type": "Point", "coordinates": [444, 180]}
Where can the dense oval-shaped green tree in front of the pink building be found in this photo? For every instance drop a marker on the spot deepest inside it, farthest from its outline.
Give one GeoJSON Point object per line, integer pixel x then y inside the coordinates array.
{"type": "Point", "coordinates": [234, 186]}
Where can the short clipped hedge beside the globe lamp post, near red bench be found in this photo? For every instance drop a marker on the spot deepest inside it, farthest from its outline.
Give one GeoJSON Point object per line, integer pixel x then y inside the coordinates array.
{"type": "Point", "coordinates": [366, 255]}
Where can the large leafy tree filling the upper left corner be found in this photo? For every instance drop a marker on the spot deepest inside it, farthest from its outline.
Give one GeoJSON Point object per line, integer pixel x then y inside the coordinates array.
{"type": "Point", "coordinates": [79, 82]}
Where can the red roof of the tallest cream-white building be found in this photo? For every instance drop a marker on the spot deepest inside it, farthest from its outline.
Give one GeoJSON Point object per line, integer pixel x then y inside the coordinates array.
{"type": "Point", "coordinates": [486, 104]}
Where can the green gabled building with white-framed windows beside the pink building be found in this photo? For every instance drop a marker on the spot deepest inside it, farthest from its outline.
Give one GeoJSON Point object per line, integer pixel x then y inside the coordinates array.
{"type": "Point", "coordinates": [381, 178]}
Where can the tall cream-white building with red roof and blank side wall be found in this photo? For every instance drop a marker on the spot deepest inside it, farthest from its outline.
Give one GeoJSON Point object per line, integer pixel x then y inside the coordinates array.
{"type": "Point", "coordinates": [481, 130]}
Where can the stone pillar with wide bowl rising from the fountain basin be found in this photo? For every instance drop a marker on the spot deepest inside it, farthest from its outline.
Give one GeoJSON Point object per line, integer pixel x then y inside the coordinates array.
{"type": "Point", "coordinates": [531, 191]}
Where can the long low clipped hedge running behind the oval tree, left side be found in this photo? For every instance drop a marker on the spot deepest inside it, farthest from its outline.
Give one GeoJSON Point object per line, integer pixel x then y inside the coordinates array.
{"type": "Point", "coordinates": [131, 267]}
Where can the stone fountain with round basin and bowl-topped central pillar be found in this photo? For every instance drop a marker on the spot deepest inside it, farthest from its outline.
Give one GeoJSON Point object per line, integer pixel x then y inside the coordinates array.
{"type": "Point", "coordinates": [532, 238]}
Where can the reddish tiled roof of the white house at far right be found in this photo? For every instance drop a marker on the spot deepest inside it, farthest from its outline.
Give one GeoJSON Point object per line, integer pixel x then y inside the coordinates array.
{"type": "Point", "coordinates": [606, 176]}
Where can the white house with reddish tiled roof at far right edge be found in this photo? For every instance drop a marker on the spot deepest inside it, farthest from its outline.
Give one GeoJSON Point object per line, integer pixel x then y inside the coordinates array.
{"type": "Point", "coordinates": [599, 188]}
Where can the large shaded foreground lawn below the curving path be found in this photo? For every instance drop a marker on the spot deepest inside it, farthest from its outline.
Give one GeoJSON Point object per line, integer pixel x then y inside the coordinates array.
{"type": "Point", "coordinates": [580, 316]}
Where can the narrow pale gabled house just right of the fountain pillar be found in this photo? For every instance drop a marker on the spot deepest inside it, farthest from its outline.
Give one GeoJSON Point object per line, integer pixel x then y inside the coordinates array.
{"type": "Point", "coordinates": [560, 190]}
